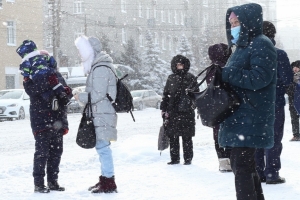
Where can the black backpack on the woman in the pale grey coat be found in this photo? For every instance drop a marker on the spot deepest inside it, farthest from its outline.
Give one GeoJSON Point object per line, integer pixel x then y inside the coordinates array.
{"type": "Point", "coordinates": [123, 101]}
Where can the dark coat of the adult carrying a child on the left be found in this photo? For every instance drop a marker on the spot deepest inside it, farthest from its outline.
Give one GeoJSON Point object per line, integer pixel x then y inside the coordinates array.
{"type": "Point", "coordinates": [42, 117]}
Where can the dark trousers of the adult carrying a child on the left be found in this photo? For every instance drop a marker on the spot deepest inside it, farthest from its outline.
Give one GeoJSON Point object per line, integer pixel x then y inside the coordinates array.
{"type": "Point", "coordinates": [48, 151]}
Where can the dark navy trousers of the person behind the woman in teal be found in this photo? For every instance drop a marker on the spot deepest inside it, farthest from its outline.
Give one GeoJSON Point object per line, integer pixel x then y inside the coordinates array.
{"type": "Point", "coordinates": [270, 168]}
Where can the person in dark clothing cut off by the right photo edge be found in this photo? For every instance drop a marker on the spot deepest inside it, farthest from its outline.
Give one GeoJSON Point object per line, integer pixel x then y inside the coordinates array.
{"type": "Point", "coordinates": [290, 92]}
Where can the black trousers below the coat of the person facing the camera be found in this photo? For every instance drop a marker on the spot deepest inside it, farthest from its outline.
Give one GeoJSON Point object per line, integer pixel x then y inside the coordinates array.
{"type": "Point", "coordinates": [187, 144]}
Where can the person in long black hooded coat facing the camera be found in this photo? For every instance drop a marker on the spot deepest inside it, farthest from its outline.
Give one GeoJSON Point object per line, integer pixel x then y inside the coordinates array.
{"type": "Point", "coordinates": [178, 109]}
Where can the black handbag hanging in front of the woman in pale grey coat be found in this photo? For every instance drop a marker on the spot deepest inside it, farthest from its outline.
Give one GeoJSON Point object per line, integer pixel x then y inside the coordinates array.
{"type": "Point", "coordinates": [86, 135]}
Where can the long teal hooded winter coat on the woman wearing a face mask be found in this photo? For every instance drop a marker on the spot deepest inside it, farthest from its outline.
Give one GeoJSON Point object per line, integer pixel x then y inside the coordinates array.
{"type": "Point", "coordinates": [251, 71]}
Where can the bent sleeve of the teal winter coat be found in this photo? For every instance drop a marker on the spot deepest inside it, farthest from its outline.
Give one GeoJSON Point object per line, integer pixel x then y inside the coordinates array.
{"type": "Point", "coordinates": [262, 67]}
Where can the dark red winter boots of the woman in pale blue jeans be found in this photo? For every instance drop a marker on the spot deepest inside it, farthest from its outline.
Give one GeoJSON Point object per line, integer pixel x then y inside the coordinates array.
{"type": "Point", "coordinates": [107, 185]}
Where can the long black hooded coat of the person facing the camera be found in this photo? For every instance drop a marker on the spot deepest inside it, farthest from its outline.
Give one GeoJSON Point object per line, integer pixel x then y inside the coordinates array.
{"type": "Point", "coordinates": [181, 123]}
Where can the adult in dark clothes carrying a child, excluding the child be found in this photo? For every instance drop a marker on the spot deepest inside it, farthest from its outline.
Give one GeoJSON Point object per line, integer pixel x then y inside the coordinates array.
{"type": "Point", "coordinates": [48, 125]}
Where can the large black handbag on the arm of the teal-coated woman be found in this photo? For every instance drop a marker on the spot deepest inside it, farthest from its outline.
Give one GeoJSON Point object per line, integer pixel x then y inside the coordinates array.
{"type": "Point", "coordinates": [218, 101]}
